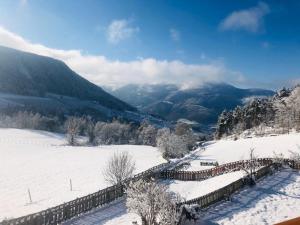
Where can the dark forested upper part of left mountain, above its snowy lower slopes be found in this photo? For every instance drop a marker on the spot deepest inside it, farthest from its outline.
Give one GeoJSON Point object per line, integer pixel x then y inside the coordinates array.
{"type": "Point", "coordinates": [28, 74]}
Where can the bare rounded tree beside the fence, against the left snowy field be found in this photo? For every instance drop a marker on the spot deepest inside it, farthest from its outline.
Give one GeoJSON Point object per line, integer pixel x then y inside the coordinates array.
{"type": "Point", "coordinates": [119, 168]}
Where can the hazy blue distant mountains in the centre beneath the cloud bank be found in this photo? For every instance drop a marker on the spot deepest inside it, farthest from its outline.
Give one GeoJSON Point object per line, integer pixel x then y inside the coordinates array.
{"type": "Point", "coordinates": [202, 104]}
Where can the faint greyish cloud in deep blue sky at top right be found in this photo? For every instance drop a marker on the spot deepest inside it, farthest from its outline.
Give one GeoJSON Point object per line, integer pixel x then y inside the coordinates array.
{"type": "Point", "coordinates": [249, 19]}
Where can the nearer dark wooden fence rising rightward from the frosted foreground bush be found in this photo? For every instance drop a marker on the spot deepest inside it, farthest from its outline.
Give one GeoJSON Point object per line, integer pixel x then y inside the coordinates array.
{"type": "Point", "coordinates": [225, 192]}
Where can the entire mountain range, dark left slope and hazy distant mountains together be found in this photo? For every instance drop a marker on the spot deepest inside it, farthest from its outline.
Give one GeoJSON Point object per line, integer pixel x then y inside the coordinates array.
{"type": "Point", "coordinates": [42, 84]}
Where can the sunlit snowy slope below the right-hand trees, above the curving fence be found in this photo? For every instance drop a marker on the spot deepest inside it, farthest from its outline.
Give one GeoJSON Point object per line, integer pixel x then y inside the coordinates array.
{"type": "Point", "coordinates": [225, 151]}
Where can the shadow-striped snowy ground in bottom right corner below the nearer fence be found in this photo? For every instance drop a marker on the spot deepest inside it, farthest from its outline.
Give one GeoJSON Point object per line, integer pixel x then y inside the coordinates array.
{"type": "Point", "coordinates": [274, 199]}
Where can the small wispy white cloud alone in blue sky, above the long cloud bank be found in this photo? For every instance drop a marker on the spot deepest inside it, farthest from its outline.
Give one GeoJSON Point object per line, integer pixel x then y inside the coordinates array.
{"type": "Point", "coordinates": [119, 30]}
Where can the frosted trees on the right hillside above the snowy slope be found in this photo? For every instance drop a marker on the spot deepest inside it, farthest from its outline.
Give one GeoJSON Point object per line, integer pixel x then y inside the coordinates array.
{"type": "Point", "coordinates": [281, 113]}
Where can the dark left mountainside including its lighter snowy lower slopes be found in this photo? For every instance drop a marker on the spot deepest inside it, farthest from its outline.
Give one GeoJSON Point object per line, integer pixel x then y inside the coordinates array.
{"type": "Point", "coordinates": [46, 85]}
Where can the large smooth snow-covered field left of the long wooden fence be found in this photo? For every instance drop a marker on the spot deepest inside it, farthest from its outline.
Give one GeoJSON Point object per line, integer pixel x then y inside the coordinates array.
{"type": "Point", "coordinates": [41, 161]}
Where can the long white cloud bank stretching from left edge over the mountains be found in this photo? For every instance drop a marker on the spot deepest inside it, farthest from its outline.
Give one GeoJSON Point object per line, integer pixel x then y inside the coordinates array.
{"type": "Point", "coordinates": [102, 71]}
